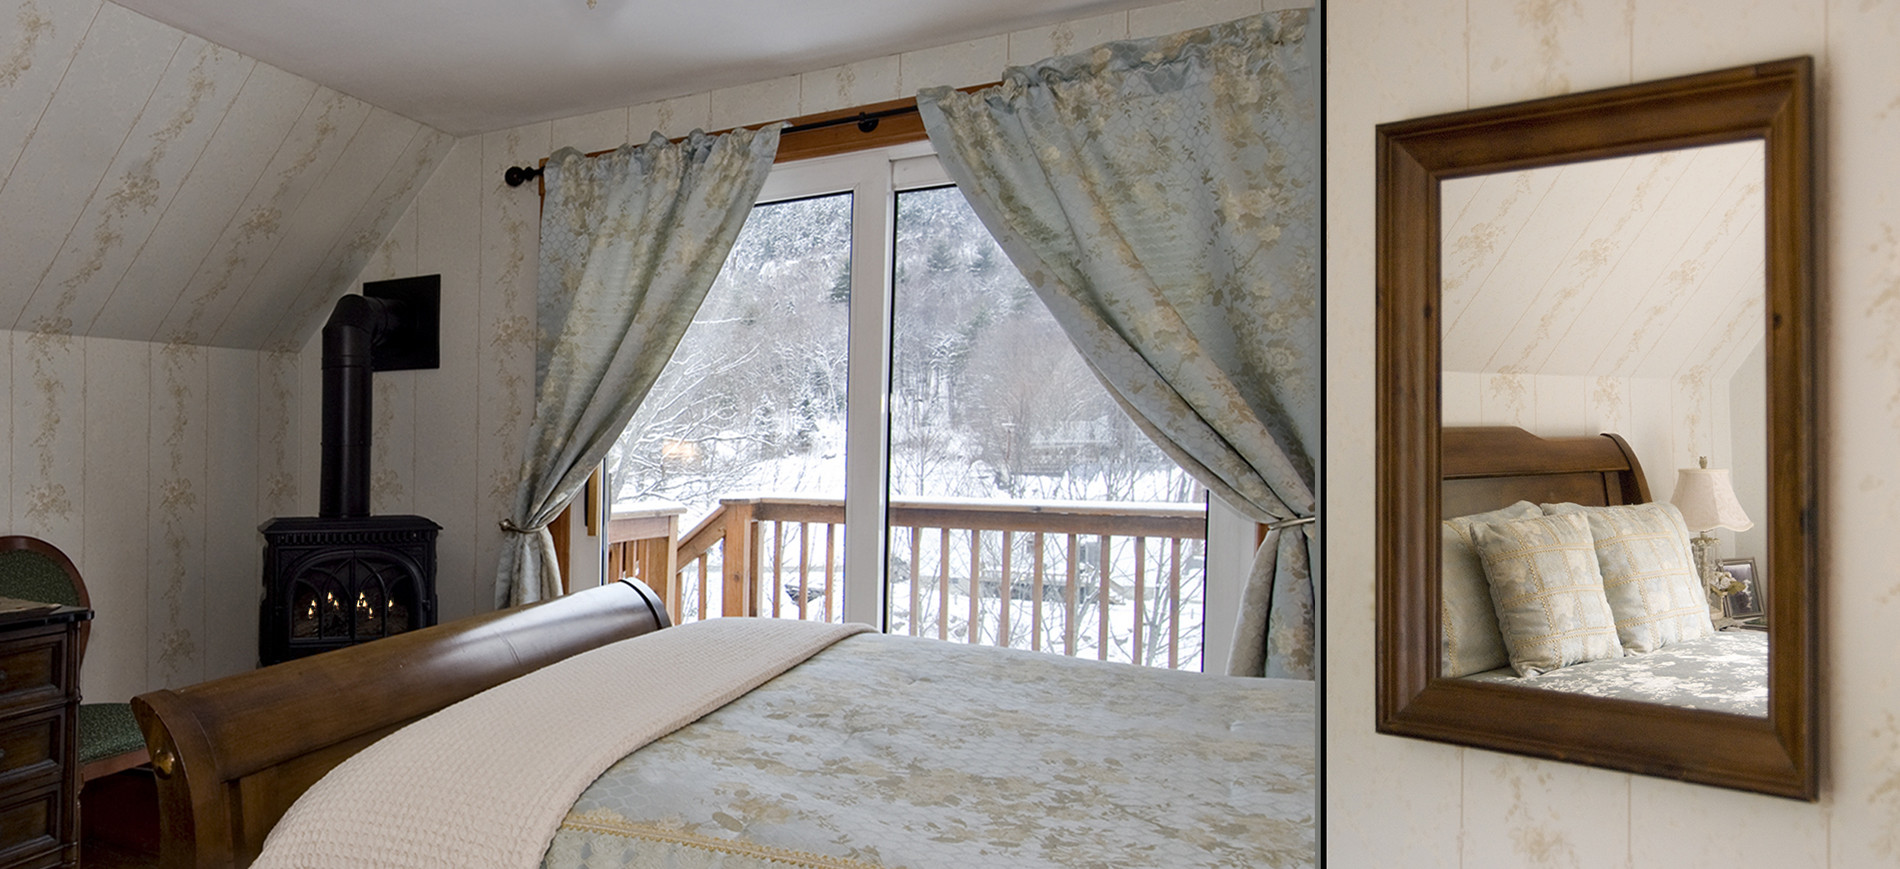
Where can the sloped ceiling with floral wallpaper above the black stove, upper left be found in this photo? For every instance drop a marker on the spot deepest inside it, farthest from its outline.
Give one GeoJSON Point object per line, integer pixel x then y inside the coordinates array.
{"type": "Point", "coordinates": [157, 187]}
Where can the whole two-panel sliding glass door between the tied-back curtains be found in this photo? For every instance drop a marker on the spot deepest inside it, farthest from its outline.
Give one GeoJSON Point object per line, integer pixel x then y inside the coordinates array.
{"type": "Point", "coordinates": [873, 419]}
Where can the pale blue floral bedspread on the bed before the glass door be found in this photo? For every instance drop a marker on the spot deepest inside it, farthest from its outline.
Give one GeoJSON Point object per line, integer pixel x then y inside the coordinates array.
{"type": "Point", "coordinates": [894, 752]}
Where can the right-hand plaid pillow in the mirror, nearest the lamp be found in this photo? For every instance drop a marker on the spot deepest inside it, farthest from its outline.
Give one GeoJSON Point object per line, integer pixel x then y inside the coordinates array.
{"type": "Point", "coordinates": [1648, 570]}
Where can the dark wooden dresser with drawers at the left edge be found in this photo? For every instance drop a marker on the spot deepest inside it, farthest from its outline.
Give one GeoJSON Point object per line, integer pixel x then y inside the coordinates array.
{"type": "Point", "coordinates": [39, 735]}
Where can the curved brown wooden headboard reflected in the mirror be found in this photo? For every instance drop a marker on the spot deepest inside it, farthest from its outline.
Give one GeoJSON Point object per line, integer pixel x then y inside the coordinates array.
{"type": "Point", "coordinates": [1494, 467]}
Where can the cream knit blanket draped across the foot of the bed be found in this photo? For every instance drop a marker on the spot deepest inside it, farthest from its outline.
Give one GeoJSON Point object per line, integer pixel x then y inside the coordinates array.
{"type": "Point", "coordinates": [485, 782]}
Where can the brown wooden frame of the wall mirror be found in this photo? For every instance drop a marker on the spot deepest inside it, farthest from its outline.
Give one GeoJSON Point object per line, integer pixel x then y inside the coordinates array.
{"type": "Point", "coordinates": [1776, 756]}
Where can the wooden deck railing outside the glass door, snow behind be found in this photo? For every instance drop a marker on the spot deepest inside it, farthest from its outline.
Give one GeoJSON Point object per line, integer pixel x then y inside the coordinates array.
{"type": "Point", "coordinates": [1105, 581]}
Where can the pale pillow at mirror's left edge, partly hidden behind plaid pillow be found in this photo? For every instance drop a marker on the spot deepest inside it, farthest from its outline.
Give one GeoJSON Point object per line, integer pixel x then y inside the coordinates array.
{"type": "Point", "coordinates": [1466, 615]}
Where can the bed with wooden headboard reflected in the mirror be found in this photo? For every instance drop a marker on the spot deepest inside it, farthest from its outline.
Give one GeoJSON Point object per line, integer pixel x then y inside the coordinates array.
{"type": "Point", "coordinates": [1500, 474]}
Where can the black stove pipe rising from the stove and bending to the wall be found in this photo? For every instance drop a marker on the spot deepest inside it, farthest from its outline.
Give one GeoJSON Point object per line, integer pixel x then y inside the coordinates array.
{"type": "Point", "coordinates": [356, 326]}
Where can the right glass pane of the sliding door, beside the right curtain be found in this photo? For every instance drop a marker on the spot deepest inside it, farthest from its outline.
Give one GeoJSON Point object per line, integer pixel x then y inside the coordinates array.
{"type": "Point", "coordinates": [1027, 509]}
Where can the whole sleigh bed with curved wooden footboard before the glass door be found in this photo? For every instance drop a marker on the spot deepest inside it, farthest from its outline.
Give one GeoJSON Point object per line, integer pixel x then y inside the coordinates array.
{"type": "Point", "coordinates": [867, 752]}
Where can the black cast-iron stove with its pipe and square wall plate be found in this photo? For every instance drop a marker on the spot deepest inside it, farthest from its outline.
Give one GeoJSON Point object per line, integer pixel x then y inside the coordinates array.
{"type": "Point", "coordinates": [347, 577]}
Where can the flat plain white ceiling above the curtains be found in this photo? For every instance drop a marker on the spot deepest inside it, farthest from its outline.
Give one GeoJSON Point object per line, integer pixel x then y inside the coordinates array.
{"type": "Point", "coordinates": [480, 66]}
